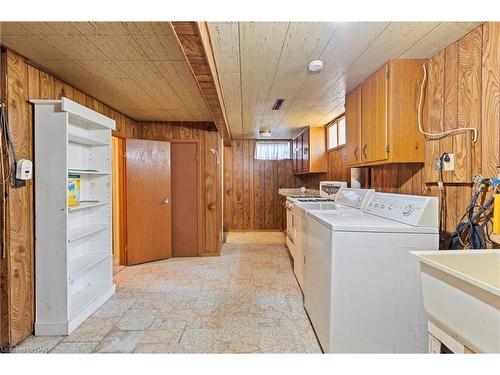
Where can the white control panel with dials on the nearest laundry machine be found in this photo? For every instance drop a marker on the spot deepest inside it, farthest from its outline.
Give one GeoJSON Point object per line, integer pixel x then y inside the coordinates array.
{"type": "Point", "coordinates": [414, 210]}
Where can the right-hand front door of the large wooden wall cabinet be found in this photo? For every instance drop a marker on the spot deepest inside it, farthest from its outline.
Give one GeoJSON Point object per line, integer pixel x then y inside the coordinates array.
{"type": "Point", "coordinates": [374, 117]}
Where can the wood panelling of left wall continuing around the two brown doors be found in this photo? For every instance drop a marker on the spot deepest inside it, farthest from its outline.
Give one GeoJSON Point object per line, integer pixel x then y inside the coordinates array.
{"type": "Point", "coordinates": [25, 82]}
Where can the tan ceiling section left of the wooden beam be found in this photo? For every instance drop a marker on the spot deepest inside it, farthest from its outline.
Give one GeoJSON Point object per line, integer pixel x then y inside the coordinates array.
{"type": "Point", "coordinates": [138, 68]}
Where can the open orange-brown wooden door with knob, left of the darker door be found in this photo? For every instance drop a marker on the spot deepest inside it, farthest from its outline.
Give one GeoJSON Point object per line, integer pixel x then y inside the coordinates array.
{"type": "Point", "coordinates": [149, 223]}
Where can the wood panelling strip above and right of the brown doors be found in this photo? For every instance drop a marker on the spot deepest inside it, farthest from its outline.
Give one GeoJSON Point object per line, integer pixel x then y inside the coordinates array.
{"type": "Point", "coordinates": [212, 172]}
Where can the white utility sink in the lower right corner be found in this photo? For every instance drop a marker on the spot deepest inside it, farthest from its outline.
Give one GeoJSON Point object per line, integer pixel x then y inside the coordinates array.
{"type": "Point", "coordinates": [461, 291]}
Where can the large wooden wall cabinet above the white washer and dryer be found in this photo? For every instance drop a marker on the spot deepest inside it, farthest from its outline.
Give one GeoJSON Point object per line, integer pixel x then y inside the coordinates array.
{"type": "Point", "coordinates": [381, 116]}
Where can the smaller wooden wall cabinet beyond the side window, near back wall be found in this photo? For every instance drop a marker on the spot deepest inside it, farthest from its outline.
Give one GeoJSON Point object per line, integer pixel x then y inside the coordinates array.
{"type": "Point", "coordinates": [309, 151]}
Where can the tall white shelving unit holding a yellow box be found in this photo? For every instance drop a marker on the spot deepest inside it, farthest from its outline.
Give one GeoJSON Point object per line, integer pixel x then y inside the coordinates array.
{"type": "Point", "coordinates": [73, 246]}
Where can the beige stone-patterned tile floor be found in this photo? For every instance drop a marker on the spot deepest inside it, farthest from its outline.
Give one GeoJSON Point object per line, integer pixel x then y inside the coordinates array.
{"type": "Point", "coordinates": [245, 301]}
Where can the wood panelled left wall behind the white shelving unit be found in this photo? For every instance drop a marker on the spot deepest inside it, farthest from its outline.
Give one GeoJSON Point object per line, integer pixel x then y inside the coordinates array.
{"type": "Point", "coordinates": [25, 82]}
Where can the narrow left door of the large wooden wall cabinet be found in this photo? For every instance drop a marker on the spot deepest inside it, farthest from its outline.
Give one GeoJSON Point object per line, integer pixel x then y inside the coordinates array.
{"type": "Point", "coordinates": [353, 126]}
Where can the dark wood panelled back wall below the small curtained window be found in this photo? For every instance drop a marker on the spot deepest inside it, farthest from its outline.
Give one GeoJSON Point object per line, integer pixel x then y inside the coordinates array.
{"type": "Point", "coordinates": [251, 187]}
